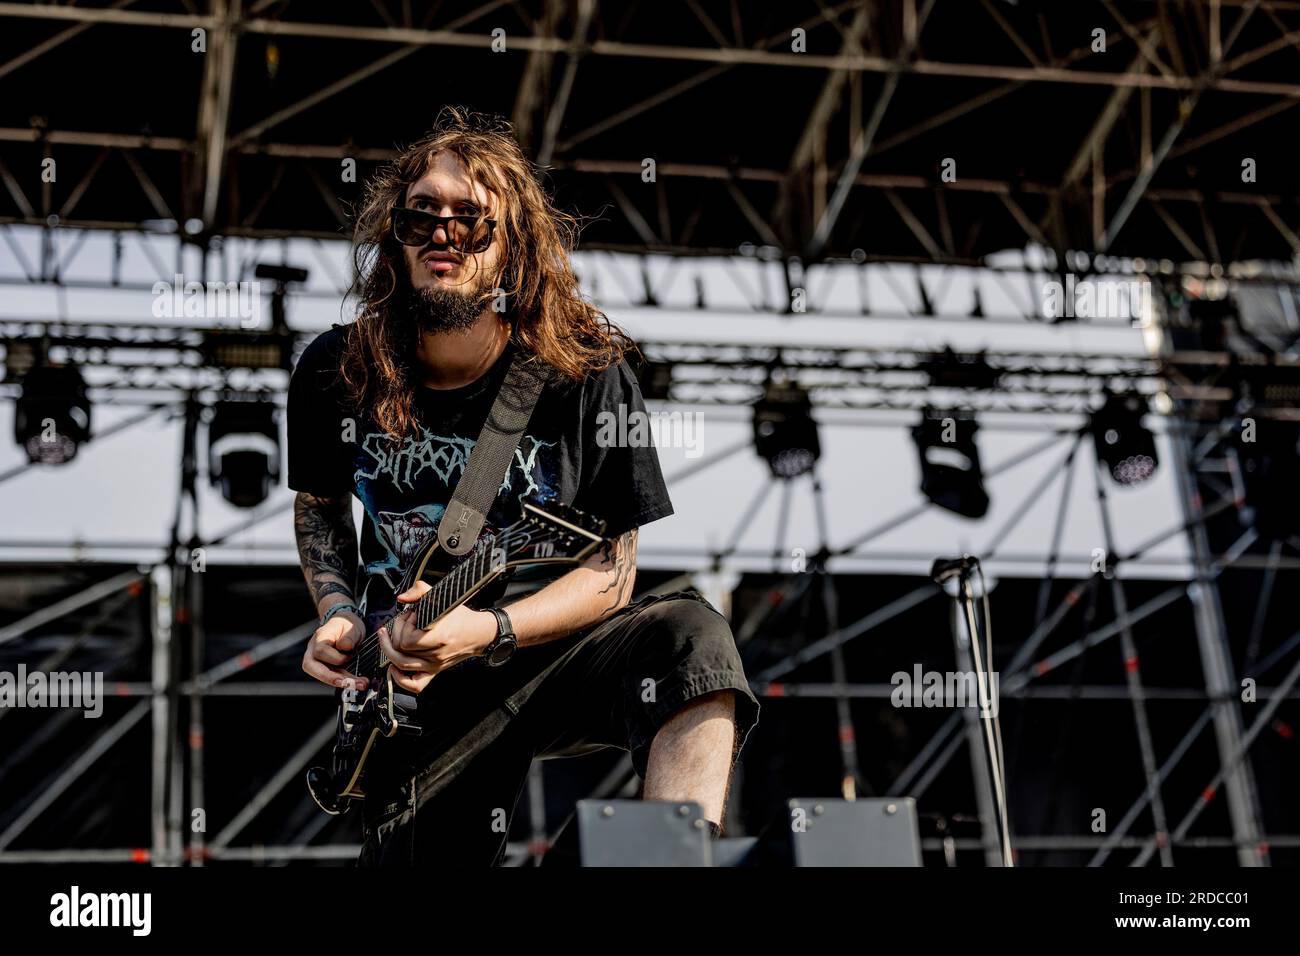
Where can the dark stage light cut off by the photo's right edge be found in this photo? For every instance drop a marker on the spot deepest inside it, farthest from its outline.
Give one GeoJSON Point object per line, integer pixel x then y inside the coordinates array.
{"type": "Point", "coordinates": [1271, 473]}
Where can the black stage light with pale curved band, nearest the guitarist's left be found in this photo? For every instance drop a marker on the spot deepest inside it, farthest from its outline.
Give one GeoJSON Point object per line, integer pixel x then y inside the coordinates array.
{"type": "Point", "coordinates": [244, 451]}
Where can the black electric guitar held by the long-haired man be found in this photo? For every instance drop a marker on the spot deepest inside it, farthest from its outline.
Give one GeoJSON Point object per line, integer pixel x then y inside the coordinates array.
{"type": "Point", "coordinates": [548, 533]}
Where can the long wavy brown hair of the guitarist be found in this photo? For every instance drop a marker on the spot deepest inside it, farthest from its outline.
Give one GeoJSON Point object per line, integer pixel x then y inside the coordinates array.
{"type": "Point", "coordinates": [551, 321]}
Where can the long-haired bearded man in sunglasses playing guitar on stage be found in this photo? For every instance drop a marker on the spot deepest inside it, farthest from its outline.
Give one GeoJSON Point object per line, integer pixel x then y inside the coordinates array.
{"type": "Point", "coordinates": [463, 265]}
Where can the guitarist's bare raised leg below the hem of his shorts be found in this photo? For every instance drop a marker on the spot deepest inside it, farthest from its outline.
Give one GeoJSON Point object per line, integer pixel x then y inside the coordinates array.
{"type": "Point", "coordinates": [692, 755]}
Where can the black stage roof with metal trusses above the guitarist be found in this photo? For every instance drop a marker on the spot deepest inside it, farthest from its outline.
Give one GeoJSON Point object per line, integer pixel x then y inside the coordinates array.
{"type": "Point", "coordinates": [831, 153]}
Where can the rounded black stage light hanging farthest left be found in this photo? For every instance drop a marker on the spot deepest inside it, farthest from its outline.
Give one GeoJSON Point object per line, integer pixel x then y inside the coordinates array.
{"type": "Point", "coordinates": [53, 414]}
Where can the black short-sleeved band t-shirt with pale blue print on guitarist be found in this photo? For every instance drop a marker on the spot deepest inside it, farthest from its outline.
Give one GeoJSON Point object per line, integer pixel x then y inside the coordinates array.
{"type": "Point", "coordinates": [336, 451]}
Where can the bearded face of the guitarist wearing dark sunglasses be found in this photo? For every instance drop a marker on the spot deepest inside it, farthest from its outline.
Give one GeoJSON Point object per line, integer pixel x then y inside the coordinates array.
{"type": "Point", "coordinates": [447, 283]}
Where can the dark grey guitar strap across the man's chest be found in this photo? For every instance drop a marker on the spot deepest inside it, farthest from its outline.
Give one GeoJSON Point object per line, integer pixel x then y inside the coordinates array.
{"type": "Point", "coordinates": [493, 455]}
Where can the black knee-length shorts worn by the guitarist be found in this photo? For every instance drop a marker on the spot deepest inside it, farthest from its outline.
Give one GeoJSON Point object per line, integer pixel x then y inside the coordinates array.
{"type": "Point", "coordinates": [447, 798]}
